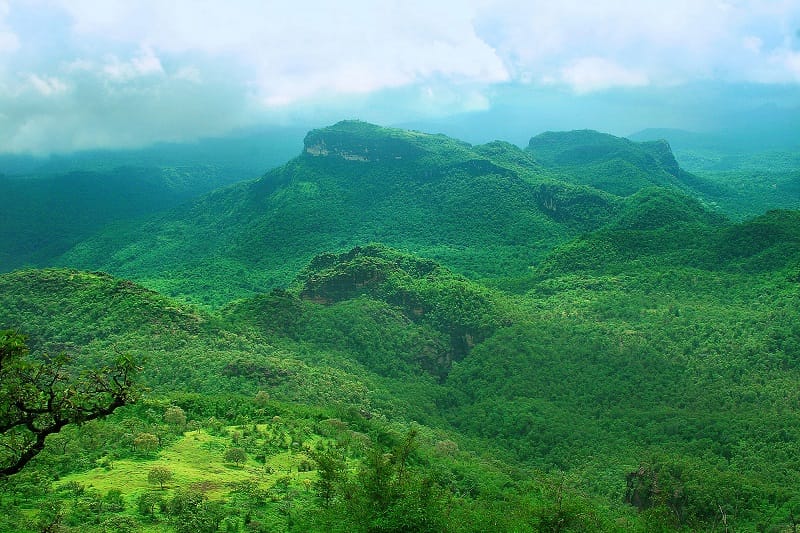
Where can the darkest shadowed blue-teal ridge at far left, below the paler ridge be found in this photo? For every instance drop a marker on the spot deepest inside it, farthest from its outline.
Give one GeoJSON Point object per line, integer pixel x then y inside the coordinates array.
{"type": "Point", "coordinates": [45, 215]}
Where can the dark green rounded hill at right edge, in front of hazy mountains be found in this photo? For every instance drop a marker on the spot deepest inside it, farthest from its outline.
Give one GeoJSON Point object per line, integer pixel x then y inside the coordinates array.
{"type": "Point", "coordinates": [695, 238]}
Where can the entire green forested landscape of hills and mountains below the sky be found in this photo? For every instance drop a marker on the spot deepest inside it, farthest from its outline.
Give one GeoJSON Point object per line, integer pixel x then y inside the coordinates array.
{"type": "Point", "coordinates": [398, 331]}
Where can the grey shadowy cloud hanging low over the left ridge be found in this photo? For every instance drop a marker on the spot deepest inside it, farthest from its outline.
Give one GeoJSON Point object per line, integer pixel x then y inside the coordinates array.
{"type": "Point", "coordinates": [114, 103]}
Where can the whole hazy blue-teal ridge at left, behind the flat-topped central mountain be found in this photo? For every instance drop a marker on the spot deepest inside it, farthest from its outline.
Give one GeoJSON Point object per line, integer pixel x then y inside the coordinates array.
{"type": "Point", "coordinates": [52, 203]}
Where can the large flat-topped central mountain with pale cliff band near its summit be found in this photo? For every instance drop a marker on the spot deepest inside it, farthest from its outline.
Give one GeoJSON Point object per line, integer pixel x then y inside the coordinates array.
{"type": "Point", "coordinates": [484, 211]}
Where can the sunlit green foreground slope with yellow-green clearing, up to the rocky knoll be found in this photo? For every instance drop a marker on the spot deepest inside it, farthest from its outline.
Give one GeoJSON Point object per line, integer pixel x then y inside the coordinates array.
{"type": "Point", "coordinates": [339, 394]}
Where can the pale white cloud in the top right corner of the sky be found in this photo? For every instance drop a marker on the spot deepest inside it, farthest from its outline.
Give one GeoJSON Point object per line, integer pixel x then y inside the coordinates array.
{"type": "Point", "coordinates": [666, 42]}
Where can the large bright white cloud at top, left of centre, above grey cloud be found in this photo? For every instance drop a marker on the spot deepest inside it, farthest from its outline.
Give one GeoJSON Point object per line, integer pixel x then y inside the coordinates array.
{"type": "Point", "coordinates": [288, 52]}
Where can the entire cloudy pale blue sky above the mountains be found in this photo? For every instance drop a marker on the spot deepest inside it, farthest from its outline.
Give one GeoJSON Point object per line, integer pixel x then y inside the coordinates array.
{"type": "Point", "coordinates": [84, 74]}
